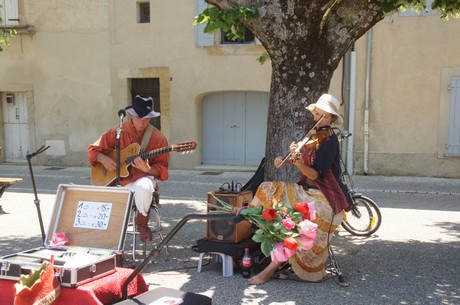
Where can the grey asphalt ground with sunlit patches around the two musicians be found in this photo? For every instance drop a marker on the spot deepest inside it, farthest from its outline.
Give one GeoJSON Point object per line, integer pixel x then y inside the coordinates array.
{"type": "Point", "coordinates": [412, 259]}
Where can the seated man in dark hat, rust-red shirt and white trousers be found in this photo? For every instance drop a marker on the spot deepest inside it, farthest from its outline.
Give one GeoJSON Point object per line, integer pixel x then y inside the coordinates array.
{"type": "Point", "coordinates": [143, 174]}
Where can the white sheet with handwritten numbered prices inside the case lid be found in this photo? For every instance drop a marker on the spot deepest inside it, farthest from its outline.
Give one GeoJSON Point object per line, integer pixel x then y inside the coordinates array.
{"type": "Point", "coordinates": [93, 215]}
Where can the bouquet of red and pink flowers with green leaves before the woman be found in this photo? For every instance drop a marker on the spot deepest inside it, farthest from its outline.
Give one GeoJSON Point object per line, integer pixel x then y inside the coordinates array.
{"type": "Point", "coordinates": [281, 230]}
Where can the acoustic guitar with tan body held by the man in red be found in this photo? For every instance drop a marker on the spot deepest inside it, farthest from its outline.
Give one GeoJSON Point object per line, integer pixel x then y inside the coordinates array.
{"type": "Point", "coordinates": [100, 176]}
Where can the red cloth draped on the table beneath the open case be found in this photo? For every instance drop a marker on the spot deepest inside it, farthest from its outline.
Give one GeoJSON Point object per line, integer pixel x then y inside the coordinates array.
{"type": "Point", "coordinates": [98, 292]}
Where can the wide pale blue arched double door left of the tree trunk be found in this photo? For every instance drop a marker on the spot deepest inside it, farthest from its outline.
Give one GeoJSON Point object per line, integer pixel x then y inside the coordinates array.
{"type": "Point", "coordinates": [234, 128]}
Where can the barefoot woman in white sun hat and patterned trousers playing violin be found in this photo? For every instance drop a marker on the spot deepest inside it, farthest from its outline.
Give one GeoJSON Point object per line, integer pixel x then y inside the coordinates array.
{"type": "Point", "coordinates": [320, 183]}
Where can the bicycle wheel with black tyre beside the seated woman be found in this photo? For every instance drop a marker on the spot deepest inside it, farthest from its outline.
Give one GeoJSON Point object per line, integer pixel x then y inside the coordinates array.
{"type": "Point", "coordinates": [364, 218]}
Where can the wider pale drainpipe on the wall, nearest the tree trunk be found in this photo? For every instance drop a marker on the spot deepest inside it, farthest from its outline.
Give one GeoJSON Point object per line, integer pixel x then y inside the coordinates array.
{"type": "Point", "coordinates": [351, 112]}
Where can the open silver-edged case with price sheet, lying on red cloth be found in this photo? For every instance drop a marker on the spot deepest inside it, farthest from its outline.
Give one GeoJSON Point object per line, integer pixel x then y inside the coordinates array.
{"type": "Point", "coordinates": [94, 220]}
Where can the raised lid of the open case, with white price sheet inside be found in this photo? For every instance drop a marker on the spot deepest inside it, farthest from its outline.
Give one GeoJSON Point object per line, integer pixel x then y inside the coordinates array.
{"type": "Point", "coordinates": [91, 216]}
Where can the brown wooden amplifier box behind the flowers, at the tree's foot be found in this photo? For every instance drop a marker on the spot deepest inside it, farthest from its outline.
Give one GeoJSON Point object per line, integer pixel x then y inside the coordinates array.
{"type": "Point", "coordinates": [217, 230]}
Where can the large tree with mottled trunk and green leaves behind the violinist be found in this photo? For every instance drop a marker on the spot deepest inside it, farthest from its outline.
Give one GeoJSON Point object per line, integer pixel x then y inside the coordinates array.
{"type": "Point", "coordinates": [305, 41]}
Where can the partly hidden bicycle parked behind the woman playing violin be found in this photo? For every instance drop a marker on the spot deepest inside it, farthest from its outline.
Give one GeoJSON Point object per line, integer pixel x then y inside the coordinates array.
{"type": "Point", "coordinates": [364, 217]}
